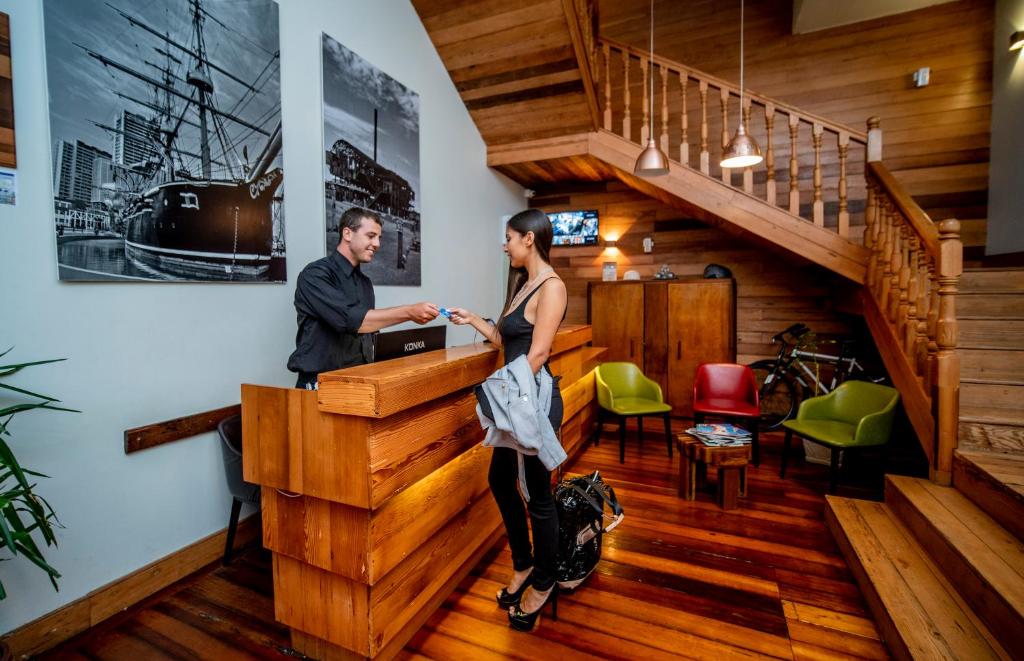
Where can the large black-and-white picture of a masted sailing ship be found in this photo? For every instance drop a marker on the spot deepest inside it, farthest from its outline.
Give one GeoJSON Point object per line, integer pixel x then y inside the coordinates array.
{"type": "Point", "coordinates": [165, 121]}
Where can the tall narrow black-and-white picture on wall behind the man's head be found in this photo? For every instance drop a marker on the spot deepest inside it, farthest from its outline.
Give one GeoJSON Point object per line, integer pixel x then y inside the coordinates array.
{"type": "Point", "coordinates": [372, 160]}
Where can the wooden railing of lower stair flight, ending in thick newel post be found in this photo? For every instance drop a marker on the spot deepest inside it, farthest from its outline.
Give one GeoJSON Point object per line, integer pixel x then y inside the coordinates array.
{"type": "Point", "coordinates": [913, 276]}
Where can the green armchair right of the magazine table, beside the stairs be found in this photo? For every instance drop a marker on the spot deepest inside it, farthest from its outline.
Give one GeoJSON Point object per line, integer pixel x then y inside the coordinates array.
{"type": "Point", "coordinates": [858, 415]}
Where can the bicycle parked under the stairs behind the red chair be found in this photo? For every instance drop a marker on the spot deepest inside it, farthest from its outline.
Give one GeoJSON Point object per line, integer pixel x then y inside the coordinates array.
{"type": "Point", "coordinates": [778, 379]}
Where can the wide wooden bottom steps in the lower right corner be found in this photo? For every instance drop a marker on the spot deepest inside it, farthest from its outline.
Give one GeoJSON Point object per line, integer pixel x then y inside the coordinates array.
{"type": "Point", "coordinates": [944, 579]}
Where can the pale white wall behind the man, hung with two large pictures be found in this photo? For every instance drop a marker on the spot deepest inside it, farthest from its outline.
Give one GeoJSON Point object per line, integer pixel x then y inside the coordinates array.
{"type": "Point", "coordinates": [142, 354]}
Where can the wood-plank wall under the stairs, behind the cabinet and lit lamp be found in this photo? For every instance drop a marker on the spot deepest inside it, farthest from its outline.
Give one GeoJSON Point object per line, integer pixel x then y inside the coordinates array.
{"type": "Point", "coordinates": [774, 291]}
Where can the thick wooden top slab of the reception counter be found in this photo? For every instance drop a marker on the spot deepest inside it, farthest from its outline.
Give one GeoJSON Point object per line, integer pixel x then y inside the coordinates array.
{"type": "Point", "coordinates": [382, 389]}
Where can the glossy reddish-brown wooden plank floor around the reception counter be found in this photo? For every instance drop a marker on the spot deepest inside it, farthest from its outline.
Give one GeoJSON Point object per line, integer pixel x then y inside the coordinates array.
{"type": "Point", "coordinates": [677, 580]}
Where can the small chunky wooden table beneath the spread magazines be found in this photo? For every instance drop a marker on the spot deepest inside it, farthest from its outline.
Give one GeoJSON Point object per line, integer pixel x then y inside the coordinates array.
{"type": "Point", "coordinates": [696, 459]}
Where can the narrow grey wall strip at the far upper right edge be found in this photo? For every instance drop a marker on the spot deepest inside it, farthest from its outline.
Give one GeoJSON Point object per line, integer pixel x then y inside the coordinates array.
{"type": "Point", "coordinates": [1006, 170]}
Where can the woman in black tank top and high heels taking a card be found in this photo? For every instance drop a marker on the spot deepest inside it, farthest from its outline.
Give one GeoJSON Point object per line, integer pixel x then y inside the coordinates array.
{"type": "Point", "coordinates": [535, 290]}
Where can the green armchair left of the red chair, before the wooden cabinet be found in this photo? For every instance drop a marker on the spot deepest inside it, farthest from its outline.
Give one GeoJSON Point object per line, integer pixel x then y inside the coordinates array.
{"type": "Point", "coordinates": [625, 392]}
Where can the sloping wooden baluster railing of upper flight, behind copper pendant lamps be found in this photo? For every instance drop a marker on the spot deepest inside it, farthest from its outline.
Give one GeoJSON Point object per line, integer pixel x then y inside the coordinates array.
{"type": "Point", "coordinates": [691, 109]}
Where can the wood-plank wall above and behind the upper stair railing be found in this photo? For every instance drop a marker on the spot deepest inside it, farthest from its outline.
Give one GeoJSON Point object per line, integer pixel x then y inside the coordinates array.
{"type": "Point", "coordinates": [936, 140]}
